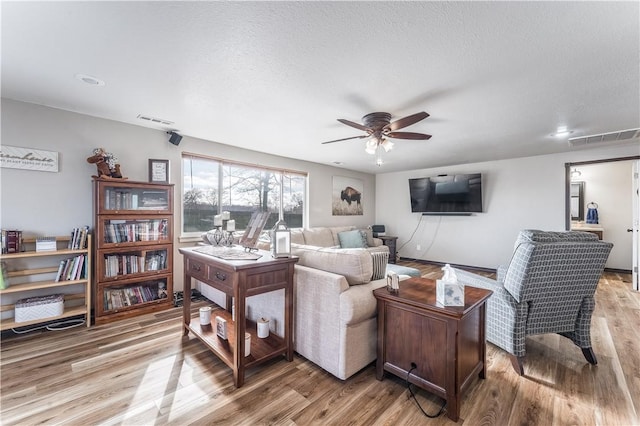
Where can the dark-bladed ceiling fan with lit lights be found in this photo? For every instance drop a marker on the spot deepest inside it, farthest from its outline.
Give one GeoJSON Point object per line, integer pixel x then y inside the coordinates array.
{"type": "Point", "coordinates": [378, 128]}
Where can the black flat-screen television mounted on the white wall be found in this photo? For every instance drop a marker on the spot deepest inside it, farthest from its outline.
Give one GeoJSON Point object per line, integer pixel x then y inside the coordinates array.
{"type": "Point", "coordinates": [447, 194]}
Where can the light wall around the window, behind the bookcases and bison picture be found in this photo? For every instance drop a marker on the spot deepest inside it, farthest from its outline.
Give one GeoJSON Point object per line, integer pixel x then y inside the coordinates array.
{"type": "Point", "coordinates": [43, 203]}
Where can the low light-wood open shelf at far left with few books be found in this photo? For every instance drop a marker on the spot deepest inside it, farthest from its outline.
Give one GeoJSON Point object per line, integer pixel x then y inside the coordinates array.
{"type": "Point", "coordinates": [25, 281]}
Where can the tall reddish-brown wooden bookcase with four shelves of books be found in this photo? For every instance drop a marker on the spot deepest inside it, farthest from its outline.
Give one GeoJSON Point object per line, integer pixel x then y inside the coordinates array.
{"type": "Point", "coordinates": [133, 268]}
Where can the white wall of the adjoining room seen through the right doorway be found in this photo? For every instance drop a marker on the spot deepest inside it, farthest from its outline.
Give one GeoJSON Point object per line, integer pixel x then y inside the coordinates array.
{"type": "Point", "coordinates": [609, 185]}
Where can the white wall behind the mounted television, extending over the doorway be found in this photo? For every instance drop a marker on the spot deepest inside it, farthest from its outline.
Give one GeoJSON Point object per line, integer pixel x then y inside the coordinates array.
{"type": "Point", "coordinates": [523, 193]}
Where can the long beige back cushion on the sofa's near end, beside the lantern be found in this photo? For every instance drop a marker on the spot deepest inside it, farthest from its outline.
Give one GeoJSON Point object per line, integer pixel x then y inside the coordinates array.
{"type": "Point", "coordinates": [356, 265]}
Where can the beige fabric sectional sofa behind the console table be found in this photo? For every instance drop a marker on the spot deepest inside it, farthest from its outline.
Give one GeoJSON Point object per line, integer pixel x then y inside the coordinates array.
{"type": "Point", "coordinates": [335, 312]}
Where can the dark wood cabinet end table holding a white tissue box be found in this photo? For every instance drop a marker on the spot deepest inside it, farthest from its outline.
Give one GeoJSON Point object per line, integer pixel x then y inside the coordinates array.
{"type": "Point", "coordinates": [447, 344]}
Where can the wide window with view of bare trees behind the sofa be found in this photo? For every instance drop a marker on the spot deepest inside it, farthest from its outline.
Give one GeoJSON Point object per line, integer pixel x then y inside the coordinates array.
{"type": "Point", "coordinates": [211, 186]}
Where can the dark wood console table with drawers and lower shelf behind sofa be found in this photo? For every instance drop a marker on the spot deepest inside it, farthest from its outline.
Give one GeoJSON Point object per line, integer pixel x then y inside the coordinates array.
{"type": "Point", "coordinates": [239, 279]}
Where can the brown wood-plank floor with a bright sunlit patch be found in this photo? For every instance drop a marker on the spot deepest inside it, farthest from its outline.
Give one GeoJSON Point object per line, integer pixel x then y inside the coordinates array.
{"type": "Point", "coordinates": [142, 371]}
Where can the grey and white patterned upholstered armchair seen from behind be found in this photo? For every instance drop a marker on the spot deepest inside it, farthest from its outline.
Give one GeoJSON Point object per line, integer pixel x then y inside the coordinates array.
{"type": "Point", "coordinates": [548, 287]}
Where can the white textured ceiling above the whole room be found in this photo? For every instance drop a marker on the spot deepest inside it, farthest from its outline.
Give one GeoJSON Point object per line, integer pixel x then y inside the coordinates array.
{"type": "Point", "coordinates": [497, 77]}
